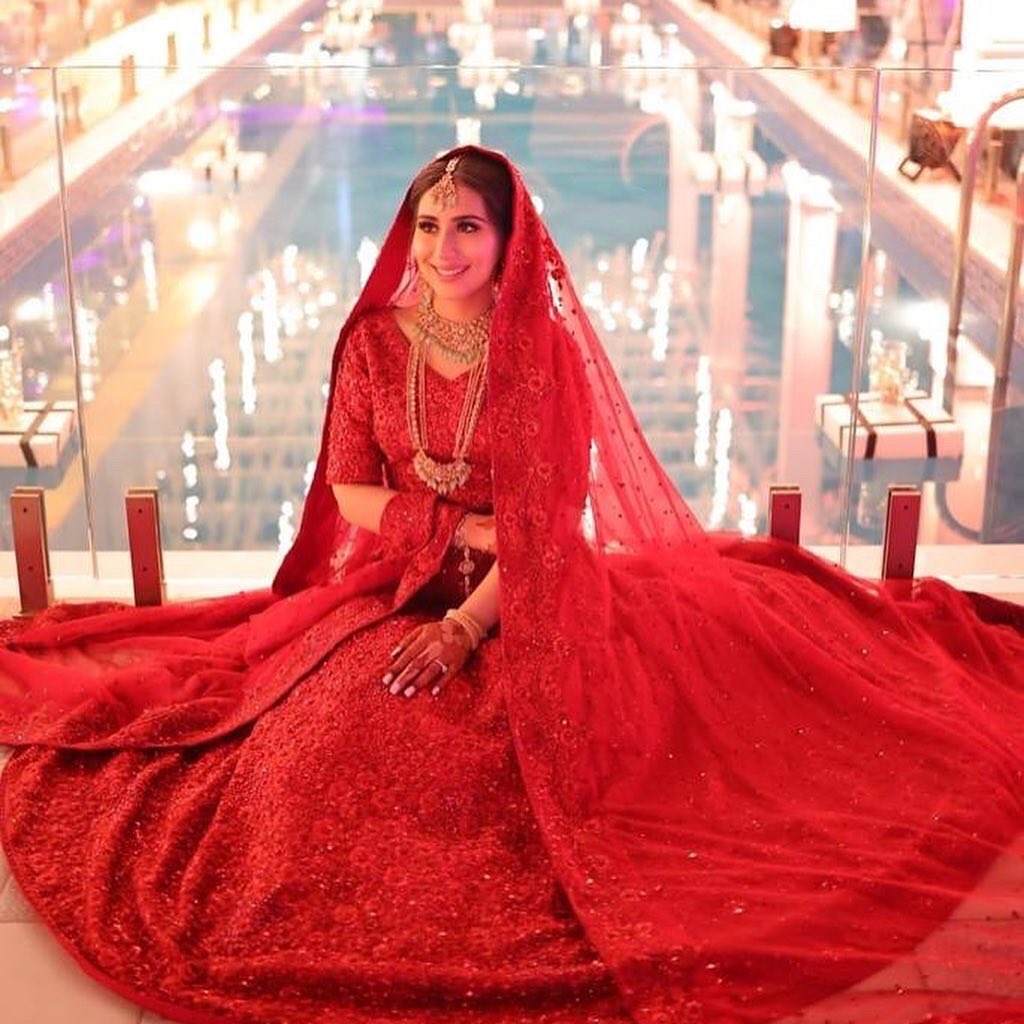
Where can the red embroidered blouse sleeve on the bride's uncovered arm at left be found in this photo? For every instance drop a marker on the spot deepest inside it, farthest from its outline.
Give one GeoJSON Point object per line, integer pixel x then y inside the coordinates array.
{"type": "Point", "coordinates": [354, 456]}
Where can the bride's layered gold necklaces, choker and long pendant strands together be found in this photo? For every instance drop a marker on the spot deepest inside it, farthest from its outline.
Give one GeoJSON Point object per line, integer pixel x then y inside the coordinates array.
{"type": "Point", "coordinates": [465, 343]}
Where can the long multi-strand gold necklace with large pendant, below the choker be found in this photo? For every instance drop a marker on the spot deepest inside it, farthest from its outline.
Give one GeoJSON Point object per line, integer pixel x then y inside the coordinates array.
{"type": "Point", "coordinates": [443, 478]}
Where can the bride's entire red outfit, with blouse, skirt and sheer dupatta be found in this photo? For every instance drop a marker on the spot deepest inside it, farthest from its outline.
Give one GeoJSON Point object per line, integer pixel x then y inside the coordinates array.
{"type": "Point", "coordinates": [692, 779]}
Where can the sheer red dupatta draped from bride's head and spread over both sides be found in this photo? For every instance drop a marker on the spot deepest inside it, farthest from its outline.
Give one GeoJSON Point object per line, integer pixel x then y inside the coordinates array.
{"type": "Point", "coordinates": [763, 784]}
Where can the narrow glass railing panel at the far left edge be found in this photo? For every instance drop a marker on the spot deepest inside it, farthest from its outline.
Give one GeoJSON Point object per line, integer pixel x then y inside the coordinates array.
{"type": "Point", "coordinates": [39, 425]}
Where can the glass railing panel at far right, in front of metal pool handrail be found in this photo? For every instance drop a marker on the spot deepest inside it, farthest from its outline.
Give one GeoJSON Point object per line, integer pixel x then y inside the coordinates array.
{"type": "Point", "coordinates": [935, 420]}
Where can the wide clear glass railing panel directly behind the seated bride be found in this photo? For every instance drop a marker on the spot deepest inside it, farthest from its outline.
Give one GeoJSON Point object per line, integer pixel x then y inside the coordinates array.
{"type": "Point", "coordinates": [716, 246]}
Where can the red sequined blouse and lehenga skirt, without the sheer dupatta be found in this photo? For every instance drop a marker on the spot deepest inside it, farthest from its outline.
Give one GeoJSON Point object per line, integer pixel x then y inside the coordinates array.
{"type": "Point", "coordinates": [351, 858]}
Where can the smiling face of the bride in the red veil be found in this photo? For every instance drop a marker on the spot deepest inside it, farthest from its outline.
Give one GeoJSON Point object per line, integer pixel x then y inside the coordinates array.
{"type": "Point", "coordinates": [457, 251]}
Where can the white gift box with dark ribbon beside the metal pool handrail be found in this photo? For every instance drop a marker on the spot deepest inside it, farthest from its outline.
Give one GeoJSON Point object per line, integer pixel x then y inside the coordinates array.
{"type": "Point", "coordinates": [916, 429]}
